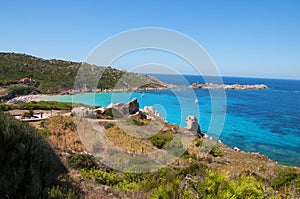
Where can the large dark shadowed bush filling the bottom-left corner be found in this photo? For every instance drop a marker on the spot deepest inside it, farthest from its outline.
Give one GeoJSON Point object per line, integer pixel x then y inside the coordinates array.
{"type": "Point", "coordinates": [28, 164]}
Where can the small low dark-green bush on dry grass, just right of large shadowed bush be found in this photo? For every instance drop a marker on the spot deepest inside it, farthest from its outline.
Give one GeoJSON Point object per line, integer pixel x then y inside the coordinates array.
{"type": "Point", "coordinates": [82, 161]}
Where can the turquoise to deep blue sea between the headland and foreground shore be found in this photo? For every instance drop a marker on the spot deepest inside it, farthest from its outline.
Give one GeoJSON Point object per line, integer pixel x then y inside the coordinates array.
{"type": "Point", "coordinates": [265, 121]}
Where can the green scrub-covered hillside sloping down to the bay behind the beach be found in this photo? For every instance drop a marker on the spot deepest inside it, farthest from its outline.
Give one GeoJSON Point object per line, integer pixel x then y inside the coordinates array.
{"type": "Point", "coordinates": [57, 76]}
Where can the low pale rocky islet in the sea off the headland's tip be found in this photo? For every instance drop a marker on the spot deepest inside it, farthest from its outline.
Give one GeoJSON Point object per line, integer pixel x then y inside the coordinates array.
{"type": "Point", "coordinates": [229, 86]}
